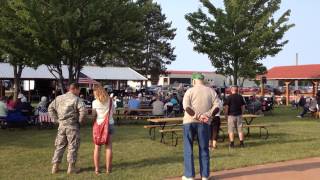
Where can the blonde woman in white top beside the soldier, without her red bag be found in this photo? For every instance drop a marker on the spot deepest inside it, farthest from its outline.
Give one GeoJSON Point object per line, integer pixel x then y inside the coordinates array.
{"type": "Point", "coordinates": [100, 108]}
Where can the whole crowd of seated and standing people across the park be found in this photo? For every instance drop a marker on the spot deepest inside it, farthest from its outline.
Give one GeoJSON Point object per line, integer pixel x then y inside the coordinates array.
{"type": "Point", "coordinates": [202, 107]}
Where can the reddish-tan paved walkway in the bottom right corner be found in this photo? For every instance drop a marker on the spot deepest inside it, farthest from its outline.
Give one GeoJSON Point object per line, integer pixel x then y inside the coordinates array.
{"type": "Point", "coordinates": [306, 169]}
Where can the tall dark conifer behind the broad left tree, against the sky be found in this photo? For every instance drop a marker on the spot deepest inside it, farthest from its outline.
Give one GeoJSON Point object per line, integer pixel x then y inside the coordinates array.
{"type": "Point", "coordinates": [152, 51]}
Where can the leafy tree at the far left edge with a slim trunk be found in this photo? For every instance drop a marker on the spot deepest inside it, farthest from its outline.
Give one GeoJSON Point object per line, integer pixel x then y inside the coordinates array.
{"type": "Point", "coordinates": [17, 45]}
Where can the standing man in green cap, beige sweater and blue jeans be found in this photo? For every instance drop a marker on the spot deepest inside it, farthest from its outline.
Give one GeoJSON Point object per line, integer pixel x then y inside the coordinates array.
{"type": "Point", "coordinates": [200, 104]}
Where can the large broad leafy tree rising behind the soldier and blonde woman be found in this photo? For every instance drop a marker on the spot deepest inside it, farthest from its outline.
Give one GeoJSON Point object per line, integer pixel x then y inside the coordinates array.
{"type": "Point", "coordinates": [79, 32]}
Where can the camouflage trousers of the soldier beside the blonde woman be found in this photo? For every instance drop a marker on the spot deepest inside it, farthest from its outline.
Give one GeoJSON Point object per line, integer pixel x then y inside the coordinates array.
{"type": "Point", "coordinates": [66, 137]}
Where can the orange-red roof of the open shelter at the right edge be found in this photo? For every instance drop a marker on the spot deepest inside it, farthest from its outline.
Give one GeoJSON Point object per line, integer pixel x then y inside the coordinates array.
{"type": "Point", "coordinates": [310, 71]}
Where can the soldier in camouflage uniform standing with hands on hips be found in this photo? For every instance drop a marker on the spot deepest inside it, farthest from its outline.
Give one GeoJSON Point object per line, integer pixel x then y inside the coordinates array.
{"type": "Point", "coordinates": [69, 111]}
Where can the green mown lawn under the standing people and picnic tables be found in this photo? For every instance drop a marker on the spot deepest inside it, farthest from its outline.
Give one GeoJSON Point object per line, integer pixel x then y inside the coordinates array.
{"type": "Point", "coordinates": [26, 154]}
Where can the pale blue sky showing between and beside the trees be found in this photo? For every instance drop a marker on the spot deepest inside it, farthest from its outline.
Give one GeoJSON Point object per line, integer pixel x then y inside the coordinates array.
{"type": "Point", "coordinates": [304, 38]}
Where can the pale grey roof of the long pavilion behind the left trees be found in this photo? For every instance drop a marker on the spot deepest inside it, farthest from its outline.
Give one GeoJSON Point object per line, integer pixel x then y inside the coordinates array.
{"type": "Point", "coordinates": [93, 72]}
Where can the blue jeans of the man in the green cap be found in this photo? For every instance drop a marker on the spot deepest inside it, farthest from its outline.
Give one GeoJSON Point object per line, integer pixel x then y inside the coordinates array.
{"type": "Point", "coordinates": [190, 131]}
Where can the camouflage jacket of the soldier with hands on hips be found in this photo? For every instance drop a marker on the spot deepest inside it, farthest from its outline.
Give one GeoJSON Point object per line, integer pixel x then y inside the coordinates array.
{"type": "Point", "coordinates": [68, 110]}
